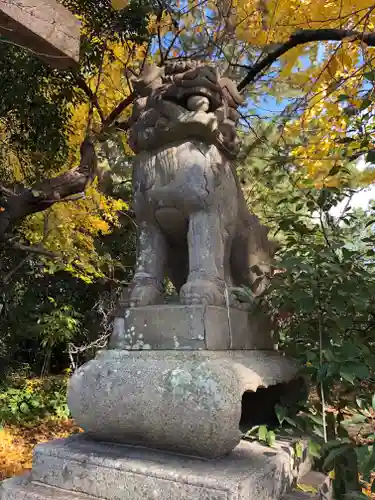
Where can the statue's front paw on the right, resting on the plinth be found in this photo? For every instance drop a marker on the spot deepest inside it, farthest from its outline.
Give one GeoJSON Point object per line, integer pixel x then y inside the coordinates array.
{"type": "Point", "coordinates": [201, 292]}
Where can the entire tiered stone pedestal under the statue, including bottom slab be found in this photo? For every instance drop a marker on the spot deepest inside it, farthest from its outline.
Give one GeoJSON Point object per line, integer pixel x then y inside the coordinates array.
{"type": "Point", "coordinates": [162, 410]}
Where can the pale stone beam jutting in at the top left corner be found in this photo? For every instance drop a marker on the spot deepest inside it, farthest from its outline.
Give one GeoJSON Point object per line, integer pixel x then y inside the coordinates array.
{"type": "Point", "coordinates": [44, 26]}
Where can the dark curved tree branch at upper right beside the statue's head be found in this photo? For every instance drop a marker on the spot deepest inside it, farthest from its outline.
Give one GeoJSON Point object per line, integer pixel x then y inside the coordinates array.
{"type": "Point", "coordinates": [300, 38]}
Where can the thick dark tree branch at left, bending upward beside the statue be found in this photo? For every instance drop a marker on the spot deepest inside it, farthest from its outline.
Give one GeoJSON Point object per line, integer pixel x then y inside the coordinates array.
{"type": "Point", "coordinates": [14, 206]}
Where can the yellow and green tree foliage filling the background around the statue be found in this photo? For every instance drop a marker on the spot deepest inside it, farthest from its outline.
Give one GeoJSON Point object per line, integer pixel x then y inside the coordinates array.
{"type": "Point", "coordinates": [308, 118]}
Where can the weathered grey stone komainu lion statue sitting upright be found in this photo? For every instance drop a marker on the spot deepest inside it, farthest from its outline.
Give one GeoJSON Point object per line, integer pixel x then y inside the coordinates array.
{"type": "Point", "coordinates": [194, 225]}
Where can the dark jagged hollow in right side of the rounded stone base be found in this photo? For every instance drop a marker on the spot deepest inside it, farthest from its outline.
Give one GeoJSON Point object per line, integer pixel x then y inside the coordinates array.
{"type": "Point", "coordinates": [258, 408]}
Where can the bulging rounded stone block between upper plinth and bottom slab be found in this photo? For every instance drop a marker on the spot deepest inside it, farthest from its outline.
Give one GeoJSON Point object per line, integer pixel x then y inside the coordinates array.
{"type": "Point", "coordinates": [187, 401]}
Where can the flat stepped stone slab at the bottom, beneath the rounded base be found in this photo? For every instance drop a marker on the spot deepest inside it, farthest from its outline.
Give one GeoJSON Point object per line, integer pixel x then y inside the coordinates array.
{"type": "Point", "coordinates": [114, 472]}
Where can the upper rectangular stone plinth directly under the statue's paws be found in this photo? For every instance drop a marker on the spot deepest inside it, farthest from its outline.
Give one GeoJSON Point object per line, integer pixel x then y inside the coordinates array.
{"type": "Point", "coordinates": [190, 327]}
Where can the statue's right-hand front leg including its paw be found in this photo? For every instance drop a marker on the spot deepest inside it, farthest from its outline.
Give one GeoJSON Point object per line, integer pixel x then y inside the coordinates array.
{"type": "Point", "coordinates": [206, 241]}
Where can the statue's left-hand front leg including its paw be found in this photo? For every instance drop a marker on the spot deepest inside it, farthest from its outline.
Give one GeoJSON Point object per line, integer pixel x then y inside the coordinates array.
{"type": "Point", "coordinates": [147, 285]}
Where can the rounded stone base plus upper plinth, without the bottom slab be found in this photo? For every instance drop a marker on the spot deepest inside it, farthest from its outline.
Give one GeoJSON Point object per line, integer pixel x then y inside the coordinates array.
{"type": "Point", "coordinates": [182, 378]}
